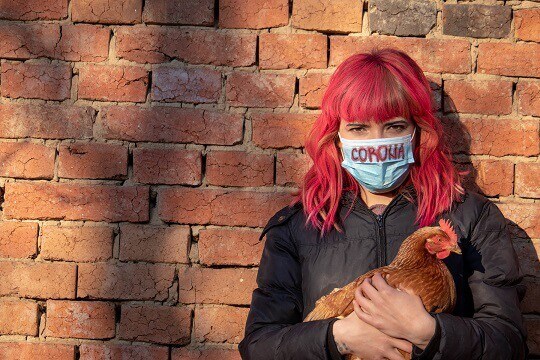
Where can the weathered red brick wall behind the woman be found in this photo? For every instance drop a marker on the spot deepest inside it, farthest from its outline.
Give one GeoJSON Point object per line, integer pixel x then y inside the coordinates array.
{"type": "Point", "coordinates": [144, 144]}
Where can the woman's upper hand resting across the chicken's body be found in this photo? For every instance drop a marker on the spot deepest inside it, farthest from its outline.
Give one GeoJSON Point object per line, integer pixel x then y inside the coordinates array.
{"type": "Point", "coordinates": [396, 313]}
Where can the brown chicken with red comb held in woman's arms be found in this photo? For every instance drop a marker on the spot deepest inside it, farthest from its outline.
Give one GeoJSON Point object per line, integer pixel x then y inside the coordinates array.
{"type": "Point", "coordinates": [418, 267]}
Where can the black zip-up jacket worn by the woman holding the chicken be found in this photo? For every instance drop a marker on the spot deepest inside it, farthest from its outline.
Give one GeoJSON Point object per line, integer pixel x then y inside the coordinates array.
{"type": "Point", "coordinates": [297, 267]}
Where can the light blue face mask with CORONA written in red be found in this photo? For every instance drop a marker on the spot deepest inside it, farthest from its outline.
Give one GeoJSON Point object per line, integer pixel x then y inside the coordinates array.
{"type": "Point", "coordinates": [380, 165]}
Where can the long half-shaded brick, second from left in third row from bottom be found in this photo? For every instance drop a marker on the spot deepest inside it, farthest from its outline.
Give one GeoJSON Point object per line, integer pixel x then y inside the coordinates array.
{"type": "Point", "coordinates": [128, 281]}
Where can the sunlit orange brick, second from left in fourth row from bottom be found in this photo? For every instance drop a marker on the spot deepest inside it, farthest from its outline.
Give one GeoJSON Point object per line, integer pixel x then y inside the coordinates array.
{"type": "Point", "coordinates": [76, 243]}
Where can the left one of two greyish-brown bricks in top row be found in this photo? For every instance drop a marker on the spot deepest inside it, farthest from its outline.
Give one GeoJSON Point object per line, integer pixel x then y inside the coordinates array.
{"type": "Point", "coordinates": [402, 17]}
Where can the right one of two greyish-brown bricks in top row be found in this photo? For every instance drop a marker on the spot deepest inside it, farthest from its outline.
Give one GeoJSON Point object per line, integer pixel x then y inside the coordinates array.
{"type": "Point", "coordinates": [477, 20]}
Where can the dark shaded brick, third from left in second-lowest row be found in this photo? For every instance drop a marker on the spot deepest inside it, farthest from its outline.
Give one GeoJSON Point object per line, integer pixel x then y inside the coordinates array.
{"type": "Point", "coordinates": [157, 324]}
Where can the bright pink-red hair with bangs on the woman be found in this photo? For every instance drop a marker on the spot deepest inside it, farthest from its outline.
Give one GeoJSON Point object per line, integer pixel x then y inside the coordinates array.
{"type": "Point", "coordinates": [378, 86]}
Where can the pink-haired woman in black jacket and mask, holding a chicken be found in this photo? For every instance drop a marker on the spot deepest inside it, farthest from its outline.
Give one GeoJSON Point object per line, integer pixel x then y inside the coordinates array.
{"type": "Point", "coordinates": [354, 209]}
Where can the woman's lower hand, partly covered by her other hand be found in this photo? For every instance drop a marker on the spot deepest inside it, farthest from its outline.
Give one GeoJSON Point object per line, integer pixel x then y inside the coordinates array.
{"type": "Point", "coordinates": [353, 336]}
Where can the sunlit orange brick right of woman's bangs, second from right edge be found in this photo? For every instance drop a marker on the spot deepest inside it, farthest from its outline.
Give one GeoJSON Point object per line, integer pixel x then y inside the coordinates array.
{"type": "Point", "coordinates": [490, 97]}
